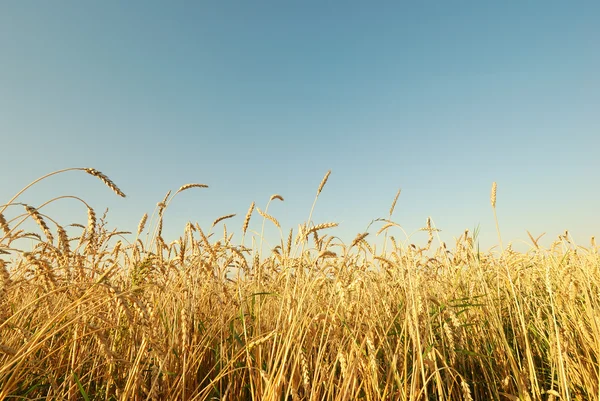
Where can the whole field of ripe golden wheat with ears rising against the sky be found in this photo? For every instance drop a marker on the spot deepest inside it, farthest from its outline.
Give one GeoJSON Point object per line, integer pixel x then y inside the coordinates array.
{"type": "Point", "coordinates": [87, 314]}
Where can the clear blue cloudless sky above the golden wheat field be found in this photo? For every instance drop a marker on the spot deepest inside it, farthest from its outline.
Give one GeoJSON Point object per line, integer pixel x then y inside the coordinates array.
{"type": "Point", "coordinates": [257, 98]}
